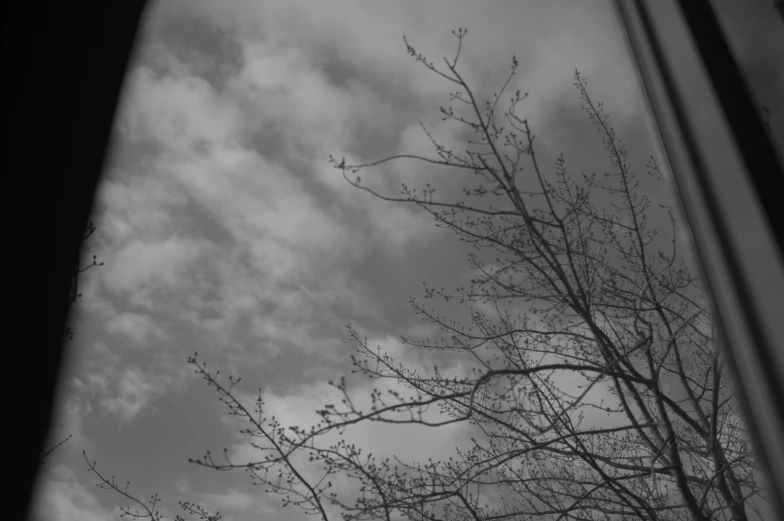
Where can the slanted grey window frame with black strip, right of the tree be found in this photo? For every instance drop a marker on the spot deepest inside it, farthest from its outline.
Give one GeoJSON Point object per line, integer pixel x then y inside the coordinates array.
{"type": "Point", "coordinates": [724, 171]}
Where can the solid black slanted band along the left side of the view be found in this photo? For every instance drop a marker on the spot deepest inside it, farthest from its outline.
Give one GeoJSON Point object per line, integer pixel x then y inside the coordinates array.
{"type": "Point", "coordinates": [64, 67]}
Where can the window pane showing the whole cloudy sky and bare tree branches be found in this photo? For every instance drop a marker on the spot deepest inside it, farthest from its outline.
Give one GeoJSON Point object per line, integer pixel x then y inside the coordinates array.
{"type": "Point", "coordinates": [578, 370]}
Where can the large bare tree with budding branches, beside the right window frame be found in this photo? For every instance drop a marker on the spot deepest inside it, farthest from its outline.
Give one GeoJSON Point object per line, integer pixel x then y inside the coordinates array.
{"type": "Point", "coordinates": [580, 288]}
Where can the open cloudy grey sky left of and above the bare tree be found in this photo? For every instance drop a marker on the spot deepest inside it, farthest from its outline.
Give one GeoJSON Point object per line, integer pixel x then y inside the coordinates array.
{"type": "Point", "coordinates": [225, 231]}
